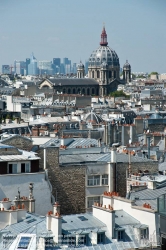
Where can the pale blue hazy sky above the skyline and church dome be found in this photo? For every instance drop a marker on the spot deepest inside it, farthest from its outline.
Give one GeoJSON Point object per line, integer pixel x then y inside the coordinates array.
{"type": "Point", "coordinates": [136, 30]}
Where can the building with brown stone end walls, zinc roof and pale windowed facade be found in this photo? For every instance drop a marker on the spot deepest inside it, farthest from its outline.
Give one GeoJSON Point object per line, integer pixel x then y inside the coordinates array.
{"type": "Point", "coordinates": [80, 176]}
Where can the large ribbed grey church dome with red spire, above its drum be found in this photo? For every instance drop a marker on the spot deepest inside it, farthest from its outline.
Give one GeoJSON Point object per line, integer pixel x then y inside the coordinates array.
{"type": "Point", "coordinates": [104, 54]}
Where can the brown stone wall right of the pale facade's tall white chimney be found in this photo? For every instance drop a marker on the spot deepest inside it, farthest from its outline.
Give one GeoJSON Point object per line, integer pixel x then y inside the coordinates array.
{"type": "Point", "coordinates": [152, 167]}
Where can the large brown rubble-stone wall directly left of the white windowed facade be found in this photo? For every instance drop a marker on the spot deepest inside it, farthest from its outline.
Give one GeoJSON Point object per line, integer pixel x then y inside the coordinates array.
{"type": "Point", "coordinates": [68, 182]}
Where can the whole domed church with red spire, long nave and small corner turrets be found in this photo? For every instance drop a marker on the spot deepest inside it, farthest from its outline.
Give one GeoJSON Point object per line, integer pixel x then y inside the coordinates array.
{"type": "Point", "coordinates": [103, 74]}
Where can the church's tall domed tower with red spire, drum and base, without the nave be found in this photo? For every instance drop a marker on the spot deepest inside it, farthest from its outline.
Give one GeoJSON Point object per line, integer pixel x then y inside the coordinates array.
{"type": "Point", "coordinates": [104, 66]}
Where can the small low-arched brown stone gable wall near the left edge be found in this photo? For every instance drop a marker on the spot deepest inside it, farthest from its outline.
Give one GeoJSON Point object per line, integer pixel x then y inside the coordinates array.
{"type": "Point", "coordinates": [19, 142]}
